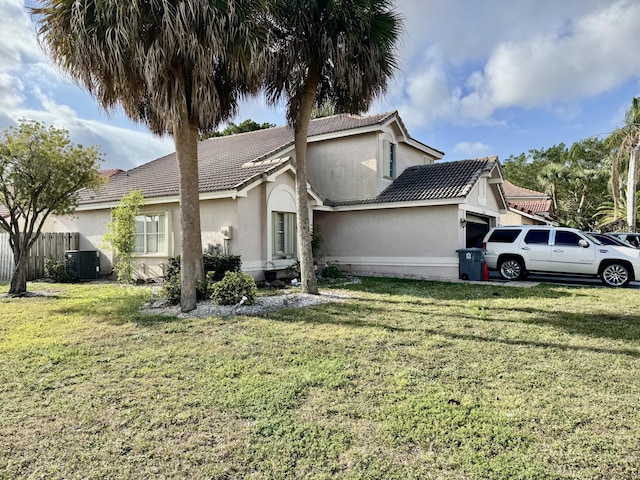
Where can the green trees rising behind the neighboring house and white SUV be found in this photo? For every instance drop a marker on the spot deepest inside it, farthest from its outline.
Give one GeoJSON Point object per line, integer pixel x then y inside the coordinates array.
{"type": "Point", "coordinates": [576, 178]}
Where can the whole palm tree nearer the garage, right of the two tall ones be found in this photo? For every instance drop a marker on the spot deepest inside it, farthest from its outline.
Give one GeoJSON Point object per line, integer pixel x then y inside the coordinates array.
{"type": "Point", "coordinates": [326, 51]}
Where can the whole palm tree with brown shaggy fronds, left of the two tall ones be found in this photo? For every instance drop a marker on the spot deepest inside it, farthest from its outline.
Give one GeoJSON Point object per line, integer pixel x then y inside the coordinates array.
{"type": "Point", "coordinates": [177, 66]}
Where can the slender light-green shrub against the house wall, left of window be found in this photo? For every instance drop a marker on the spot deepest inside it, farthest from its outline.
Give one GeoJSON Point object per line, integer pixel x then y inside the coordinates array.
{"type": "Point", "coordinates": [121, 234]}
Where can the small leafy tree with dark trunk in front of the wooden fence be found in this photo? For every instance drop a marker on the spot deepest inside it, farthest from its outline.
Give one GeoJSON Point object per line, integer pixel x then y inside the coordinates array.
{"type": "Point", "coordinates": [40, 171]}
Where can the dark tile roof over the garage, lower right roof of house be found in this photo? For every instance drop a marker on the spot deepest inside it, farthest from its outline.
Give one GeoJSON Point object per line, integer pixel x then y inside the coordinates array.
{"type": "Point", "coordinates": [432, 182]}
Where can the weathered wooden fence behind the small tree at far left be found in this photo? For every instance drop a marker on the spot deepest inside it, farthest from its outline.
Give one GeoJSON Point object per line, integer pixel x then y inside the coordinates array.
{"type": "Point", "coordinates": [48, 245]}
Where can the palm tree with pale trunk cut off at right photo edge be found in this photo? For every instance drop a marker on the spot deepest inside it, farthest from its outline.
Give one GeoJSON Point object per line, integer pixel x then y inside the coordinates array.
{"type": "Point", "coordinates": [625, 143]}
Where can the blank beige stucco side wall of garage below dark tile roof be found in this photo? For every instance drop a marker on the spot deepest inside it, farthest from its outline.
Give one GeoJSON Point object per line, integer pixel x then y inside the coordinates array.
{"type": "Point", "coordinates": [413, 242]}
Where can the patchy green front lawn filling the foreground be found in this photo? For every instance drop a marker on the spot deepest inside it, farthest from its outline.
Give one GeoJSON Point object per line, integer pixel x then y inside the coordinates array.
{"type": "Point", "coordinates": [407, 379]}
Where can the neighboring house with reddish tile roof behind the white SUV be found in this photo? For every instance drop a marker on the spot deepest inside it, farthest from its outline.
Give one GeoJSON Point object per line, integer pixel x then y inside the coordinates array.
{"type": "Point", "coordinates": [526, 207]}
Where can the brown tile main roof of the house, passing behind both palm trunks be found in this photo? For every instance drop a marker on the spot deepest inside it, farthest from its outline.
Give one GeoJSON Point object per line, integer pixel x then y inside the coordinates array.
{"type": "Point", "coordinates": [224, 163]}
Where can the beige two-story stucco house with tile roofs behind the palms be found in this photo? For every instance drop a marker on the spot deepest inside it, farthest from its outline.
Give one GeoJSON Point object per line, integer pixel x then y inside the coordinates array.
{"type": "Point", "coordinates": [385, 206]}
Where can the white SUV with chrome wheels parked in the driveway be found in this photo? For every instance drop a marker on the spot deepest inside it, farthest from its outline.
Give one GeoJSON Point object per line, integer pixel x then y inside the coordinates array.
{"type": "Point", "coordinates": [516, 250]}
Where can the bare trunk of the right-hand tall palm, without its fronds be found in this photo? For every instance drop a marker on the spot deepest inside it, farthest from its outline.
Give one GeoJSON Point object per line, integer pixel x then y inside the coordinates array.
{"type": "Point", "coordinates": [307, 272]}
